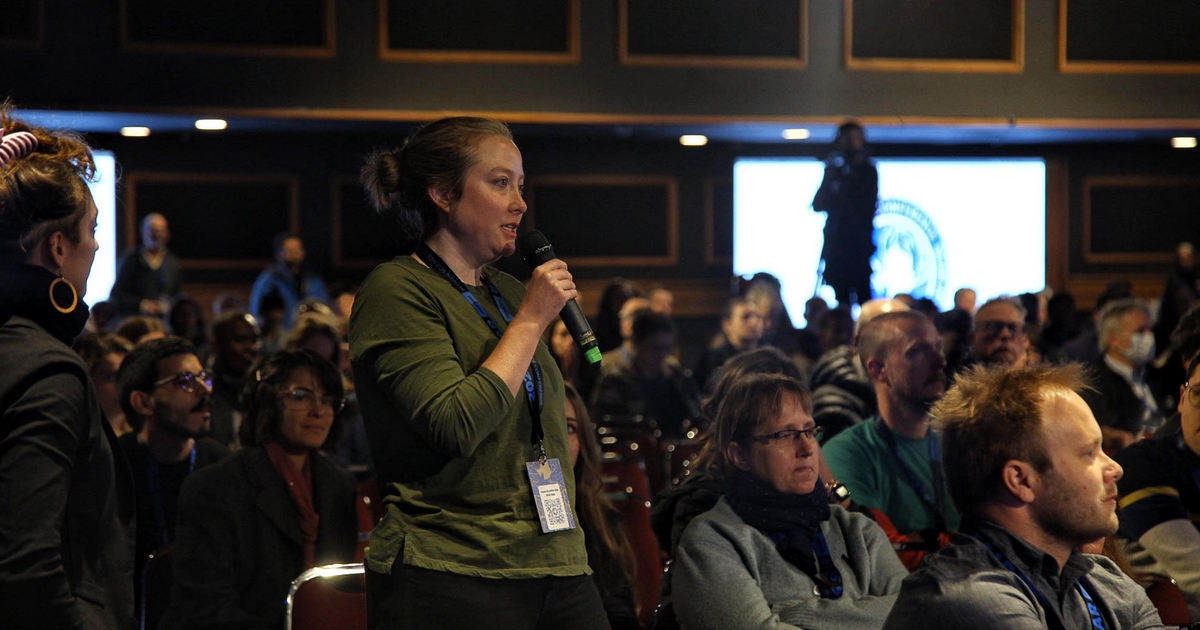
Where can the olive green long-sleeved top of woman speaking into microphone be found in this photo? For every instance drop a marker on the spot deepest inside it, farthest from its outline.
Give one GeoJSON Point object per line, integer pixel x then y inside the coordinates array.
{"type": "Point", "coordinates": [447, 436]}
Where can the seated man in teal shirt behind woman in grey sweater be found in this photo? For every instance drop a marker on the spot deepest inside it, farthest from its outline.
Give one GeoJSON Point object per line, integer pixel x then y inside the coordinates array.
{"type": "Point", "coordinates": [891, 463]}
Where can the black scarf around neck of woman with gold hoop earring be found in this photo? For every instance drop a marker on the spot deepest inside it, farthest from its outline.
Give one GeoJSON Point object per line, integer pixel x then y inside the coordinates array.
{"type": "Point", "coordinates": [27, 293]}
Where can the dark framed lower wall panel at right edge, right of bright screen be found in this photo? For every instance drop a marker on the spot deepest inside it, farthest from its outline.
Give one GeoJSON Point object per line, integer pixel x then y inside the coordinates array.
{"type": "Point", "coordinates": [1138, 219]}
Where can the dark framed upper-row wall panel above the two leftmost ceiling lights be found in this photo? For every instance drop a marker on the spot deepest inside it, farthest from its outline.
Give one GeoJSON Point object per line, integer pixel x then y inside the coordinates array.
{"type": "Point", "coordinates": [263, 27]}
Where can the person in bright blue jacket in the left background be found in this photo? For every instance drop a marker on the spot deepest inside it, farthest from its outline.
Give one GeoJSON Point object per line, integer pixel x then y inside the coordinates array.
{"type": "Point", "coordinates": [287, 280]}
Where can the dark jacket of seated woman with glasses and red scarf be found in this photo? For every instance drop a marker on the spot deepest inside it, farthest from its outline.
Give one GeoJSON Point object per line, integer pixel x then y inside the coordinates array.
{"type": "Point", "coordinates": [238, 541]}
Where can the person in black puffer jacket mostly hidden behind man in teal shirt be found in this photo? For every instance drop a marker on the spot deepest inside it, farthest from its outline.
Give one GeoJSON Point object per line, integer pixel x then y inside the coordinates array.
{"type": "Point", "coordinates": [843, 395]}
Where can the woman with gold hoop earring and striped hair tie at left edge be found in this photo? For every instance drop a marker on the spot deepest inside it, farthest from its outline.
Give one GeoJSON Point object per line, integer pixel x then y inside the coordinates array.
{"type": "Point", "coordinates": [67, 507]}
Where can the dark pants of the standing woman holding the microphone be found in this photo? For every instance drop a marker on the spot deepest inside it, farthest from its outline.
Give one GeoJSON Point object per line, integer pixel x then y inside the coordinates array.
{"type": "Point", "coordinates": [415, 599]}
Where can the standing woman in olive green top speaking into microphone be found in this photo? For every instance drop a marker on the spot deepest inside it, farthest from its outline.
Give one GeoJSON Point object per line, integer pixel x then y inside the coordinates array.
{"type": "Point", "coordinates": [464, 406]}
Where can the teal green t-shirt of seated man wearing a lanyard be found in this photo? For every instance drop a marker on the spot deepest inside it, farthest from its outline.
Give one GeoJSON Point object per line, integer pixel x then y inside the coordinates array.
{"type": "Point", "coordinates": [862, 460]}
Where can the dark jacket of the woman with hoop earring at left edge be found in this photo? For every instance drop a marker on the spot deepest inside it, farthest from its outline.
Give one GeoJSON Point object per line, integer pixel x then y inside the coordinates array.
{"type": "Point", "coordinates": [67, 501]}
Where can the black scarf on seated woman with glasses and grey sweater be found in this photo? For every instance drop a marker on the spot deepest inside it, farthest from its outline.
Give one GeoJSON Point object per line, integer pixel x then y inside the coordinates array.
{"type": "Point", "coordinates": [789, 520]}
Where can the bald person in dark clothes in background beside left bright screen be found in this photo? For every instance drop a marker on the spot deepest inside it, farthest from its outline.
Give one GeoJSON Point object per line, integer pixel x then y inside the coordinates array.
{"type": "Point", "coordinates": [148, 278]}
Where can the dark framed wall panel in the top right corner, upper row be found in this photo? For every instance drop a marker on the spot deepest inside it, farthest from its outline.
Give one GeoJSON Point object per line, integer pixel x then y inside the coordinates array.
{"type": "Point", "coordinates": [1130, 37]}
